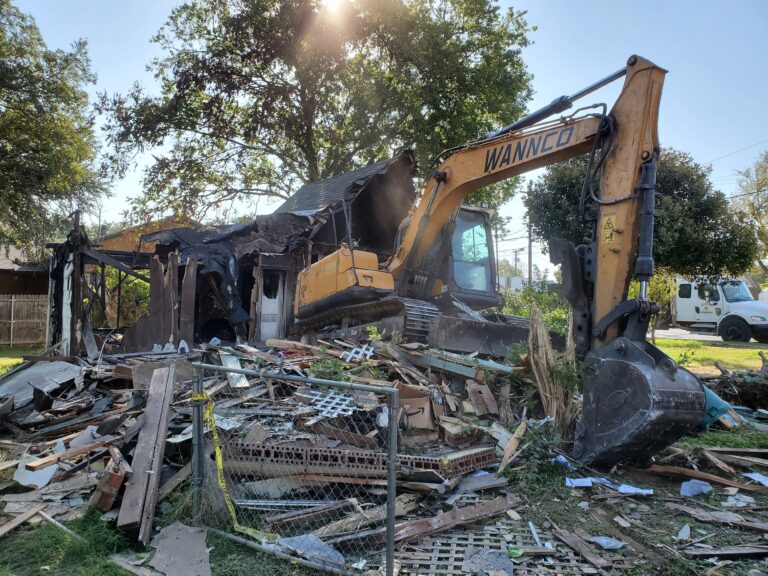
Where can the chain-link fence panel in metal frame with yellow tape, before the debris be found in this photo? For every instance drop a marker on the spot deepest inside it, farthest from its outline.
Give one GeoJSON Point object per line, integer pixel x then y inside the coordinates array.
{"type": "Point", "coordinates": [303, 468]}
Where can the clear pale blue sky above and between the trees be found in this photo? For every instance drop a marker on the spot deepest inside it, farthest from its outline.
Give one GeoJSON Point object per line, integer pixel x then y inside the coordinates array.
{"type": "Point", "coordinates": [713, 104]}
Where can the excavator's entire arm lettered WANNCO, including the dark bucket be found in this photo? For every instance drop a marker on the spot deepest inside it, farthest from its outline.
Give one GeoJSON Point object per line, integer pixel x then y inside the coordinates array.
{"type": "Point", "coordinates": [636, 400]}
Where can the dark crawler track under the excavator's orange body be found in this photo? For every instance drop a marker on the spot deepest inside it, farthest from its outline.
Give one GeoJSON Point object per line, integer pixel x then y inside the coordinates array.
{"type": "Point", "coordinates": [418, 316]}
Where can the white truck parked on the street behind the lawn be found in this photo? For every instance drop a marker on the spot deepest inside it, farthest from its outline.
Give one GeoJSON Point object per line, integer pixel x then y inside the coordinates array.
{"type": "Point", "coordinates": [725, 307]}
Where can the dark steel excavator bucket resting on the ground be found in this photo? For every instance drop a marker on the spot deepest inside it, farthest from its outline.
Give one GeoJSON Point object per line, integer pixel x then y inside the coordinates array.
{"type": "Point", "coordinates": [636, 402]}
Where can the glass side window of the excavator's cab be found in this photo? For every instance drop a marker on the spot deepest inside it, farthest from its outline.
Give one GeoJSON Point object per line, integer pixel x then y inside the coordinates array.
{"type": "Point", "coordinates": [471, 254]}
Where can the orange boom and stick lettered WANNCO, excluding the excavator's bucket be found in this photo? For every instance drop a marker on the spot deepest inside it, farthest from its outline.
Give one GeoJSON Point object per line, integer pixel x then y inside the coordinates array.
{"type": "Point", "coordinates": [511, 152]}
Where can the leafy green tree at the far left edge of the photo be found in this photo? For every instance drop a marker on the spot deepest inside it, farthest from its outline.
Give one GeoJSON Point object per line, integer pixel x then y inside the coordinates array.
{"type": "Point", "coordinates": [46, 136]}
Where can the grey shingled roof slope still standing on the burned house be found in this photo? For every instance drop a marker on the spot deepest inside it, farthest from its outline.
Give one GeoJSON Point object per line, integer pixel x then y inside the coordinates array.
{"type": "Point", "coordinates": [317, 196]}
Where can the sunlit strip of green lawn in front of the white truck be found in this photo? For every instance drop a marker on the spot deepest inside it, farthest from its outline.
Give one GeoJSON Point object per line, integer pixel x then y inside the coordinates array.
{"type": "Point", "coordinates": [731, 355]}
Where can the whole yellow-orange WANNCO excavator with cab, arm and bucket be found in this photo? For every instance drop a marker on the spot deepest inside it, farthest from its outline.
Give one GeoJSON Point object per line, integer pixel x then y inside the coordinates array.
{"type": "Point", "coordinates": [636, 399]}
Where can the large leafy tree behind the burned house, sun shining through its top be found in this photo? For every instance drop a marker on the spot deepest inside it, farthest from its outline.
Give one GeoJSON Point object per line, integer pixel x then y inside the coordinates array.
{"type": "Point", "coordinates": [261, 97]}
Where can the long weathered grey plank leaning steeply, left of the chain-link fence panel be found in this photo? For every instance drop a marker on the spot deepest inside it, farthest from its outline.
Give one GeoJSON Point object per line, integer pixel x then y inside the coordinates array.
{"type": "Point", "coordinates": [138, 507]}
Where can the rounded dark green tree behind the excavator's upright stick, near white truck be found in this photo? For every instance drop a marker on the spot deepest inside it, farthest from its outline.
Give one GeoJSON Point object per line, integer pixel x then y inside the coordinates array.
{"type": "Point", "coordinates": [696, 232]}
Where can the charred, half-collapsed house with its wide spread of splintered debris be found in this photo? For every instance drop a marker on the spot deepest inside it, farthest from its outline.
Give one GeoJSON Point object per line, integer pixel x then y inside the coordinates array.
{"type": "Point", "coordinates": [347, 455]}
